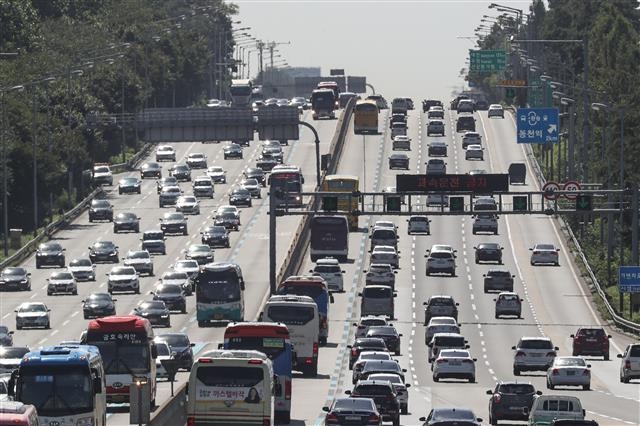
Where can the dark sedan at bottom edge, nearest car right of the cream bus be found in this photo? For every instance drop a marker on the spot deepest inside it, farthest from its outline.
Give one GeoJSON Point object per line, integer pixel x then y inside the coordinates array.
{"type": "Point", "coordinates": [356, 411]}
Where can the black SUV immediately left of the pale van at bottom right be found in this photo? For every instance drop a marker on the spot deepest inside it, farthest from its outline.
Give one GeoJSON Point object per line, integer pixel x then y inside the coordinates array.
{"type": "Point", "coordinates": [508, 399]}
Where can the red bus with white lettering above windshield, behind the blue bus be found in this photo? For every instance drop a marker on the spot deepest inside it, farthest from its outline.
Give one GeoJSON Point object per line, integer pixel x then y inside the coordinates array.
{"type": "Point", "coordinates": [127, 349]}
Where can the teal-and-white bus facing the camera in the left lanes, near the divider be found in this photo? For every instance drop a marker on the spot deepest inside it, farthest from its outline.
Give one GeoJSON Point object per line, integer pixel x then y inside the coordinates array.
{"type": "Point", "coordinates": [219, 293]}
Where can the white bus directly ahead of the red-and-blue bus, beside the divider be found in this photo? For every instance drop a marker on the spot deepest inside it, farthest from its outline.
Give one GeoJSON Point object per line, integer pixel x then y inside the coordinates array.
{"type": "Point", "coordinates": [300, 314]}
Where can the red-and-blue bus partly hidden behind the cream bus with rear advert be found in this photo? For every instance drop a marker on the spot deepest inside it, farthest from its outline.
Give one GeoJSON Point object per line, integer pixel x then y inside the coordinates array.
{"type": "Point", "coordinates": [273, 340]}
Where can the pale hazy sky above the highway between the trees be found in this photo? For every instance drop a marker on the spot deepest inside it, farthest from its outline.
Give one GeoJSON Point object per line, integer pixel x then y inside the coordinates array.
{"type": "Point", "coordinates": [405, 48]}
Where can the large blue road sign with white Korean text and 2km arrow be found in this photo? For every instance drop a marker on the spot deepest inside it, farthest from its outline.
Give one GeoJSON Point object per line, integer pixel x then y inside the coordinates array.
{"type": "Point", "coordinates": [537, 125]}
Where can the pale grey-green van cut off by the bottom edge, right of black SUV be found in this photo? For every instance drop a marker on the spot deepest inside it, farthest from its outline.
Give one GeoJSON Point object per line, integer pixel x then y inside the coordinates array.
{"type": "Point", "coordinates": [546, 408]}
